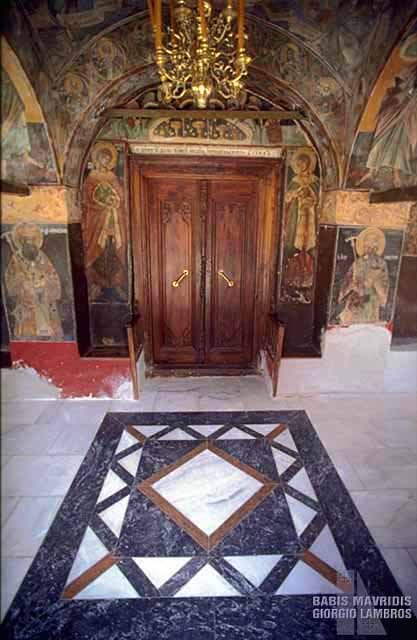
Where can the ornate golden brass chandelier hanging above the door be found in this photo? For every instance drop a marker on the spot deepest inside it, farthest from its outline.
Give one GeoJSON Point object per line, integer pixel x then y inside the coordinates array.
{"type": "Point", "coordinates": [199, 52]}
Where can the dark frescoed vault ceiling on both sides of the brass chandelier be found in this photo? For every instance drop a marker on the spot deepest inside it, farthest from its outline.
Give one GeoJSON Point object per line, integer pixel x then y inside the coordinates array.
{"type": "Point", "coordinates": [327, 54]}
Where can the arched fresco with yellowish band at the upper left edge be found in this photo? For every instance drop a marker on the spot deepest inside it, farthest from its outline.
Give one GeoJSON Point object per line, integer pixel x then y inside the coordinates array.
{"type": "Point", "coordinates": [25, 151]}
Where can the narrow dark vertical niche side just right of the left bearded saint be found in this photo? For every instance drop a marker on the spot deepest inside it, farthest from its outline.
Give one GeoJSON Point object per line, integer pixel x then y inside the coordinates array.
{"type": "Point", "coordinates": [79, 278]}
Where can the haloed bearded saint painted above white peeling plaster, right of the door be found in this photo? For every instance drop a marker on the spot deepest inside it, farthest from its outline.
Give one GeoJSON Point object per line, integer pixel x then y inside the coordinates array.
{"type": "Point", "coordinates": [365, 287]}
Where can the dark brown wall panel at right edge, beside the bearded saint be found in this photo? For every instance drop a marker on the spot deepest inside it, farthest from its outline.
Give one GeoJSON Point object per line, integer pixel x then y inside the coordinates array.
{"type": "Point", "coordinates": [405, 319]}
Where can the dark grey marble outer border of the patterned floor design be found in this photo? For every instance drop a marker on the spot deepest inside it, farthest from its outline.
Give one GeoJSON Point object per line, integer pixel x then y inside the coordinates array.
{"type": "Point", "coordinates": [38, 613]}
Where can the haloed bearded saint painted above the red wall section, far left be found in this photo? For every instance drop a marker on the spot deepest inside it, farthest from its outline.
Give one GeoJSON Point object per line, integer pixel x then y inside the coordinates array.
{"type": "Point", "coordinates": [33, 283]}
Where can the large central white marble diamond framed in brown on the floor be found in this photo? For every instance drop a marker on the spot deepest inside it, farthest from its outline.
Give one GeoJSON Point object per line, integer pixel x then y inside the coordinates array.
{"type": "Point", "coordinates": [207, 490]}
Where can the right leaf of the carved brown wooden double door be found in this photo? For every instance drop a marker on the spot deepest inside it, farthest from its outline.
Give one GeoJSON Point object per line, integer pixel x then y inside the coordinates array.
{"type": "Point", "coordinates": [231, 276]}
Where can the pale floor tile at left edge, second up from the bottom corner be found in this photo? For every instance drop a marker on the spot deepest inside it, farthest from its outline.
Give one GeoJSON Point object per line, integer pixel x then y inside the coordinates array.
{"type": "Point", "coordinates": [27, 526]}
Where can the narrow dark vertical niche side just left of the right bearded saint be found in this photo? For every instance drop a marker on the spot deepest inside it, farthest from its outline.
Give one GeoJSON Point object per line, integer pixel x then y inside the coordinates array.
{"type": "Point", "coordinates": [325, 261]}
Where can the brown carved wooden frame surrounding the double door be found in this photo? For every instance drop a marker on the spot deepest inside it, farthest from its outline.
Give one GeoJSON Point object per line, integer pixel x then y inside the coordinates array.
{"type": "Point", "coordinates": [269, 173]}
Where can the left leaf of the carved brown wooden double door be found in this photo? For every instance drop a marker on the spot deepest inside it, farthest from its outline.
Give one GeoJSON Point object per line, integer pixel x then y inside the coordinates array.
{"type": "Point", "coordinates": [175, 239]}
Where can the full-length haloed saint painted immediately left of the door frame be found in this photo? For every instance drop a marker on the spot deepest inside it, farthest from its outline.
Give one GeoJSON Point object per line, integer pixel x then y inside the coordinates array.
{"type": "Point", "coordinates": [104, 230]}
